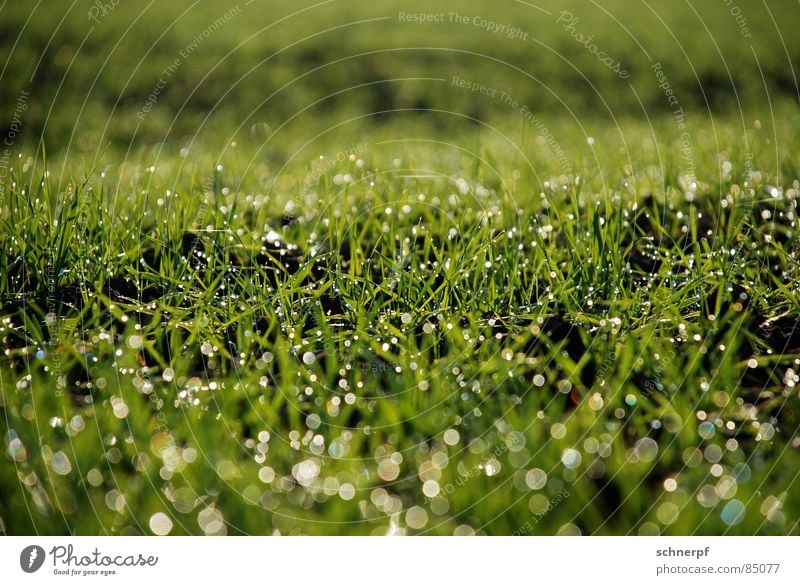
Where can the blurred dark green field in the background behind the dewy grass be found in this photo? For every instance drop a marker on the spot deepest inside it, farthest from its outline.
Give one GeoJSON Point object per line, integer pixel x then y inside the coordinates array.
{"type": "Point", "coordinates": [90, 70]}
